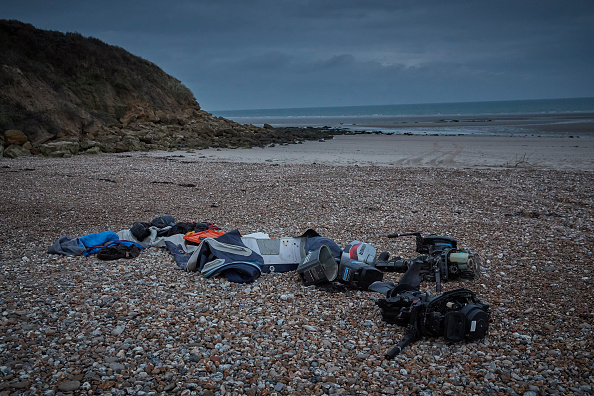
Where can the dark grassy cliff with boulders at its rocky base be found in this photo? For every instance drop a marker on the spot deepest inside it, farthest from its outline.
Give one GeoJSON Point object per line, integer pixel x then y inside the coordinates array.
{"type": "Point", "coordinates": [63, 94]}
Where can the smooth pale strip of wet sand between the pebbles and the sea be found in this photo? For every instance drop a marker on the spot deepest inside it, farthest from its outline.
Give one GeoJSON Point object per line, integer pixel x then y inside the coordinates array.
{"type": "Point", "coordinates": [392, 150]}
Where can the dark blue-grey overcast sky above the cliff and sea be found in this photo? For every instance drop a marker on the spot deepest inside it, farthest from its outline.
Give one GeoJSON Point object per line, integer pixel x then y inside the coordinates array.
{"type": "Point", "coordinates": [241, 54]}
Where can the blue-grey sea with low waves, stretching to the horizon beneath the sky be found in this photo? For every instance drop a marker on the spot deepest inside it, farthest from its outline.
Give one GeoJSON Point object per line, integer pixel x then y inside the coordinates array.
{"type": "Point", "coordinates": [543, 117]}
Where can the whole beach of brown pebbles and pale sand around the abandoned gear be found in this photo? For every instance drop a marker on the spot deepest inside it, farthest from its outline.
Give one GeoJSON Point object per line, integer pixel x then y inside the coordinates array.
{"type": "Point", "coordinates": [79, 325]}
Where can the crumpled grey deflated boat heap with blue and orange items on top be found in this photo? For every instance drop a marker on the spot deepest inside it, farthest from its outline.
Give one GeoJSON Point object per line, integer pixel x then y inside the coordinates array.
{"type": "Point", "coordinates": [201, 247]}
